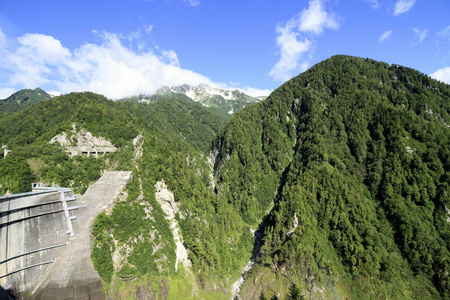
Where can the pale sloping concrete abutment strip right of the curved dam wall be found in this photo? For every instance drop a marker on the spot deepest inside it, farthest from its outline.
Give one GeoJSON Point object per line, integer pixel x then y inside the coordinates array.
{"type": "Point", "coordinates": [73, 276]}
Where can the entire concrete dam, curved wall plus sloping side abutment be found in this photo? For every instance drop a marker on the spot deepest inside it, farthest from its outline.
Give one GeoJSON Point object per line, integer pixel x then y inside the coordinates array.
{"type": "Point", "coordinates": [45, 242]}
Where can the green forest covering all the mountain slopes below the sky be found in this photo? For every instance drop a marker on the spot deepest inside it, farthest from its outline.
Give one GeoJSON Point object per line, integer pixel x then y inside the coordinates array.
{"type": "Point", "coordinates": [343, 171]}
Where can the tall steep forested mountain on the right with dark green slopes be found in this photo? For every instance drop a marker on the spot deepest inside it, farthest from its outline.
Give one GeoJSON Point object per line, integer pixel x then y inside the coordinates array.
{"type": "Point", "coordinates": [355, 156]}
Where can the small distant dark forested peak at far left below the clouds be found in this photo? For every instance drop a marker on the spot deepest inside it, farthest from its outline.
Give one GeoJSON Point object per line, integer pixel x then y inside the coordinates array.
{"type": "Point", "coordinates": [21, 100]}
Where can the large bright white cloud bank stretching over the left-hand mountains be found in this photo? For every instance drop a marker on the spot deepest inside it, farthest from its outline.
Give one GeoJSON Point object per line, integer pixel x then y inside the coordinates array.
{"type": "Point", "coordinates": [109, 68]}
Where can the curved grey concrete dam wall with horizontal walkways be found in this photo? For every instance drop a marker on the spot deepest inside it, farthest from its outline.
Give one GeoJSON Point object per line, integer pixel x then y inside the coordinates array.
{"type": "Point", "coordinates": [33, 229]}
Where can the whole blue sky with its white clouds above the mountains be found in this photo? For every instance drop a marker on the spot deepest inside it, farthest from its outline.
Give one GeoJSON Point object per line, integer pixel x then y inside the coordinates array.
{"type": "Point", "coordinates": [121, 48]}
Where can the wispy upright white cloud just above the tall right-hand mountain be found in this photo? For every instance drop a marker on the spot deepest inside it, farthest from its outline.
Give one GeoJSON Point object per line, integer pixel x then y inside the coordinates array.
{"type": "Point", "coordinates": [294, 39]}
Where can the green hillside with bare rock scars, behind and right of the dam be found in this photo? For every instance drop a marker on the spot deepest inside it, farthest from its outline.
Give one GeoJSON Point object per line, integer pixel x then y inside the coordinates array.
{"type": "Point", "coordinates": [163, 144]}
